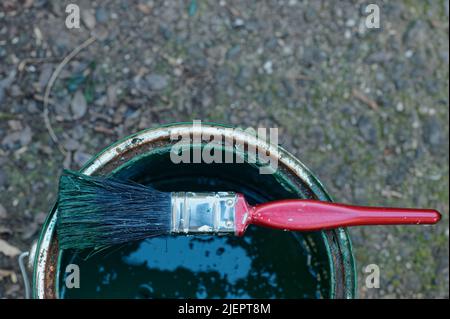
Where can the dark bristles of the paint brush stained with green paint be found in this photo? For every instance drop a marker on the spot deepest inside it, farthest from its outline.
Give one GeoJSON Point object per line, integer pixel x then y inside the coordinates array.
{"type": "Point", "coordinates": [96, 212]}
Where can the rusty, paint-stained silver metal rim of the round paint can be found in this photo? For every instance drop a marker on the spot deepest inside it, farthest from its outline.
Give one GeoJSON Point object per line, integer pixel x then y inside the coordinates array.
{"type": "Point", "coordinates": [337, 241]}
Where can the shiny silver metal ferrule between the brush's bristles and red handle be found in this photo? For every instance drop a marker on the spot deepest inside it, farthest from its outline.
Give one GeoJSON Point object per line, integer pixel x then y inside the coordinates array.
{"type": "Point", "coordinates": [203, 213]}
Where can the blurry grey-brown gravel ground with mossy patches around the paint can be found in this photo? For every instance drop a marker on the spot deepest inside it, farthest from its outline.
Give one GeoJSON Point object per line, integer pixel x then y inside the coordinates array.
{"type": "Point", "coordinates": [366, 109]}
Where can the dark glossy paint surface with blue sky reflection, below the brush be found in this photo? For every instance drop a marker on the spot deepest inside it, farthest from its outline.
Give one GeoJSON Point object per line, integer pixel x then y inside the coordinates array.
{"type": "Point", "coordinates": [262, 264]}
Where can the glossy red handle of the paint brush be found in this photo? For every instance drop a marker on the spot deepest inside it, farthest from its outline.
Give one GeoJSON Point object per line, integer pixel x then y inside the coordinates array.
{"type": "Point", "coordinates": [310, 215]}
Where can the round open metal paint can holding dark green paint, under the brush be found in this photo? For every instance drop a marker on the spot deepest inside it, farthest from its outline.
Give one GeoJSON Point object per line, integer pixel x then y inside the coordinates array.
{"type": "Point", "coordinates": [264, 263]}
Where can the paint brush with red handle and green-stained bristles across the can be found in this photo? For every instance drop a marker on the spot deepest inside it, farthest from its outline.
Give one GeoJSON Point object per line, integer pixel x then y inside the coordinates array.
{"type": "Point", "coordinates": [99, 211]}
